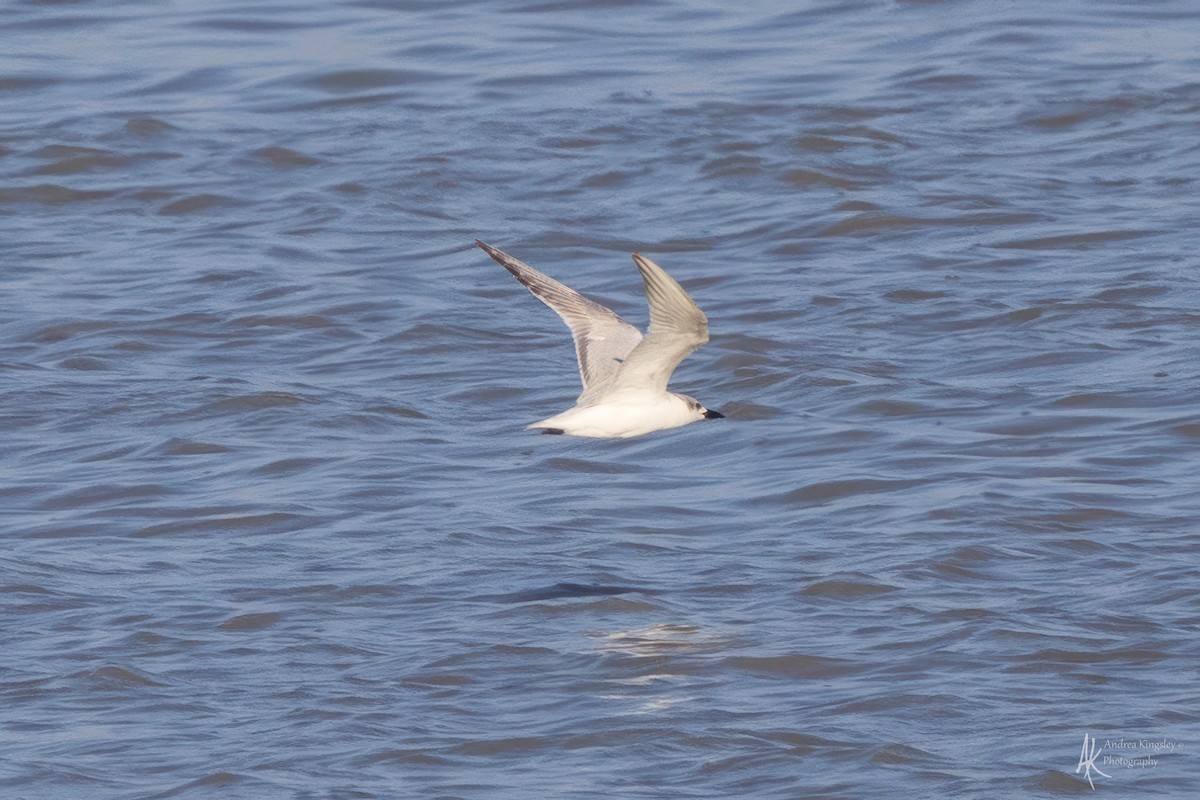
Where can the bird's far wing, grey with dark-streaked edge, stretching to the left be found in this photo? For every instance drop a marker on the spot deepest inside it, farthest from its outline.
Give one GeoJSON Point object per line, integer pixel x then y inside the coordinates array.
{"type": "Point", "coordinates": [603, 340]}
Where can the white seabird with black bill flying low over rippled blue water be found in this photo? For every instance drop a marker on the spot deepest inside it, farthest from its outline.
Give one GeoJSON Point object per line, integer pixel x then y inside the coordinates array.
{"type": "Point", "coordinates": [625, 374]}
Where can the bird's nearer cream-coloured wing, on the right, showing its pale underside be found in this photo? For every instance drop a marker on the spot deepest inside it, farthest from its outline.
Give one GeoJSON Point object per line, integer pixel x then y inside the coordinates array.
{"type": "Point", "coordinates": [677, 328]}
